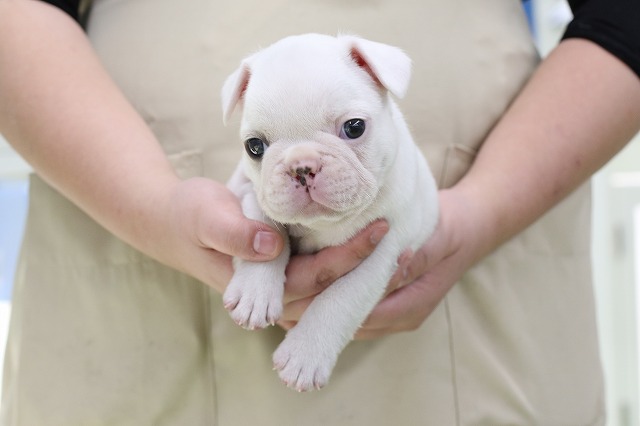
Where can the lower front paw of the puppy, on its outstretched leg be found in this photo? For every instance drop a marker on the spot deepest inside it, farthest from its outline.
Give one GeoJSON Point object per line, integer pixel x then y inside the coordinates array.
{"type": "Point", "coordinates": [302, 364]}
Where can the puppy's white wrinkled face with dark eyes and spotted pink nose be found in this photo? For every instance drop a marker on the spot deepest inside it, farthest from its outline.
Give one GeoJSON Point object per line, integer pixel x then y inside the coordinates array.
{"type": "Point", "coordinates": [318, 138]}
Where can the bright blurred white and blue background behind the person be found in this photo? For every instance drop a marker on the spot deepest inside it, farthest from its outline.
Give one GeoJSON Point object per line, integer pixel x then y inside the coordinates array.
{"type": "Point", "coordinates": [616, 237]}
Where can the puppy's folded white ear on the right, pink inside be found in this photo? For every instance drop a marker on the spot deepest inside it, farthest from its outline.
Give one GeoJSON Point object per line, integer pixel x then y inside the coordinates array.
{"type": "Point", "coordinates": [389, 66]}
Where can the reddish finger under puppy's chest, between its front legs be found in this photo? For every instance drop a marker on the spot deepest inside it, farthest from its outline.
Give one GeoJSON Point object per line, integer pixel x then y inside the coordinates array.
{"type": "Point", "coordinates": [308, 275]}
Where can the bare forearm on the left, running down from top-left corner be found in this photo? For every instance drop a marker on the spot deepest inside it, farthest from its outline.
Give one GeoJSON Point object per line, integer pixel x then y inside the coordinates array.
{"type": "Point", "coordinates": [64, 115]}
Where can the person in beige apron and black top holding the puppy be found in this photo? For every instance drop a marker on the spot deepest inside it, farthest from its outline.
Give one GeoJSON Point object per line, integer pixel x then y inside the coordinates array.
{"type": "Point", "coordinates": [492, 321]}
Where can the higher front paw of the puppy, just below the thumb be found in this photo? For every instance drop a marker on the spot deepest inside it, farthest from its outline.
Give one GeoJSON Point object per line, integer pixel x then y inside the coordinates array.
{"type": "Point", "coordinates": [253, 300]}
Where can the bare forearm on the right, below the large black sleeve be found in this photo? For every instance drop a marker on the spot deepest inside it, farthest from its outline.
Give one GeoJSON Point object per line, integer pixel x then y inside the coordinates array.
{"type": "Point", "coordinates": [579, 109]}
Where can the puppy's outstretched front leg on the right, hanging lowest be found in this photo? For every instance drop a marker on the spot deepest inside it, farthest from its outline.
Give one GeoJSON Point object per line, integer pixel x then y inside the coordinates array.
{"type": "Point", "coordinates": [310, 350]}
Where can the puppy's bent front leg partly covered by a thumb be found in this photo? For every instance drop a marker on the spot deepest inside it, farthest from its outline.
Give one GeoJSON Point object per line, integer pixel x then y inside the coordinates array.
{"type": "Point", "coordinates": [254, 295]}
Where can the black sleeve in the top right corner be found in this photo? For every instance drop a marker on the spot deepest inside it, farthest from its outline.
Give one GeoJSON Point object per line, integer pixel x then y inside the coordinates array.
{"type": "Point", "coordinates": [612, 24]}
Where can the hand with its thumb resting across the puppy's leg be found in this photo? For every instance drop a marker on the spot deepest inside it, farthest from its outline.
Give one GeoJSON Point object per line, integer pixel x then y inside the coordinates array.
{"type": "Point", "coordinates": [205, 227]}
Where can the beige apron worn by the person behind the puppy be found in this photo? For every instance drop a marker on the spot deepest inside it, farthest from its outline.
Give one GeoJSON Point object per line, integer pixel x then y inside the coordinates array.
{"type": "Point", "coordinates": [102, 335]}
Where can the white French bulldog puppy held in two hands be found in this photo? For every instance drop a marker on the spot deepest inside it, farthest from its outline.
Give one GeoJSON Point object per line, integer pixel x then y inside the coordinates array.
{"type": "Point", "coordinates": [327, 152]}
